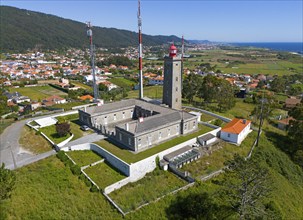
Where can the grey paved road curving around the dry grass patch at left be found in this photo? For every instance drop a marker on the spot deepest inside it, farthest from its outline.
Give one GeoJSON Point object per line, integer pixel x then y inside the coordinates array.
{"type": "Point", "coordinates": [11, 153]}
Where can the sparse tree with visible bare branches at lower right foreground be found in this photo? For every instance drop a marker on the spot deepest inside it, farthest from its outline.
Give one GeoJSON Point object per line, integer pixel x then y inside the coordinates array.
{"type": "Point", "coordinates": [245, 185]}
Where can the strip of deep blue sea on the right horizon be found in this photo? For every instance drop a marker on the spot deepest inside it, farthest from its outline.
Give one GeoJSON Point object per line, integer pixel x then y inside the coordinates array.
{"type": "Point", "coordinates": [296, 47]}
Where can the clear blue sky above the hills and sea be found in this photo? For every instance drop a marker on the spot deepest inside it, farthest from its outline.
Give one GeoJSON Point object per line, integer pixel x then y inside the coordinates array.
{"type": "Point", "coordinates": [224, 21]}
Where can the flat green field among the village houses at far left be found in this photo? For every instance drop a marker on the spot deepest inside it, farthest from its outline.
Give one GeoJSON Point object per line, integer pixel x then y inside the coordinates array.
{"type": "Point", "coordinates": [38, 92]}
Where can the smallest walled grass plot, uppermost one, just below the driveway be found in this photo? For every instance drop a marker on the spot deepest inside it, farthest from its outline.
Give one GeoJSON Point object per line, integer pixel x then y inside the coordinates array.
{"type": "Point", "coordinates": [84, 157]}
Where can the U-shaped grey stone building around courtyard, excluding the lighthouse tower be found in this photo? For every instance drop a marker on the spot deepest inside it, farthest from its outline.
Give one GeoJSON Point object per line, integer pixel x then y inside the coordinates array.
{"type": "Point", "coordinates": [137, 124]}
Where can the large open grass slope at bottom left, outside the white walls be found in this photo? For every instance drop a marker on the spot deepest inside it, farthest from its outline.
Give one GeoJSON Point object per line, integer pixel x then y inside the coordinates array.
{"type": "Point", "coordinates": [48, 190]}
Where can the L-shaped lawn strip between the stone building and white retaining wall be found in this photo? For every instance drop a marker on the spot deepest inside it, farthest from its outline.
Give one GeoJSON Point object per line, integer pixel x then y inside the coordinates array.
{"type": "Point", "coordinates": [130, 157]}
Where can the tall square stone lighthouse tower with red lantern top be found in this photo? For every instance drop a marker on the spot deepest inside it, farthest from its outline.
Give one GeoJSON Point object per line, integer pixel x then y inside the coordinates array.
{"type": "Point", "coordinates": [172, 79]}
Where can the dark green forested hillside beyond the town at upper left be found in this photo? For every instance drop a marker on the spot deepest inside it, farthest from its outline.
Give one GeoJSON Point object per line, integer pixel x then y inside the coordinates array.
{"type": "Point", "coordinates": [23, 29]}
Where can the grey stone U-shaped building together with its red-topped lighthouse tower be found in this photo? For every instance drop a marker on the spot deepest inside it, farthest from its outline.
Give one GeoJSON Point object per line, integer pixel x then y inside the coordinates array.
{"type": "Point", "coordinates": [139, 124]}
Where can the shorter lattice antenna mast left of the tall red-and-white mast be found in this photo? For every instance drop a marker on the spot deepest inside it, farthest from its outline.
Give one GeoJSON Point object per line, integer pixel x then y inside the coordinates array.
{"type": "Point", "coordinates": [92, 58]}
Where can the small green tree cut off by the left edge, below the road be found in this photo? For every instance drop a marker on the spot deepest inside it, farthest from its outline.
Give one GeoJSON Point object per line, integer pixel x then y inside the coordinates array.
{"type": "Point", "coordinates": [7, 182]}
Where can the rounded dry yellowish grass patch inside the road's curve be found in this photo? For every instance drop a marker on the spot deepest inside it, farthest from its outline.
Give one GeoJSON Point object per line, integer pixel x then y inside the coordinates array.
{"type": "Point", "coordinates": [33, 142]}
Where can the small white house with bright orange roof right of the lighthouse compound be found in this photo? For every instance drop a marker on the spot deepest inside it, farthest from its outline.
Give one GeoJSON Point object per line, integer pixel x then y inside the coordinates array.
{"type": "Point", "coordinates": [236, 130]}
